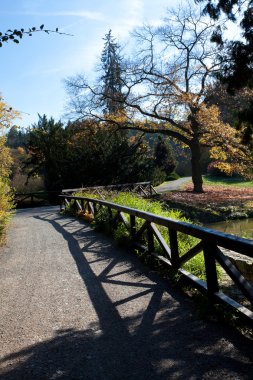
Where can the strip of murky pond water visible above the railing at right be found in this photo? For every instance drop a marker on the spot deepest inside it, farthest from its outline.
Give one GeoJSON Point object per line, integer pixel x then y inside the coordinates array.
{"type": "Point", "coordinates": [239, 227]}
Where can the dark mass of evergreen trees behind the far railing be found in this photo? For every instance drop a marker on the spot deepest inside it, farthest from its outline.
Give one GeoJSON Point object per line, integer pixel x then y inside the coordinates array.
{"type": "Point", "coordinates": [86, 154]}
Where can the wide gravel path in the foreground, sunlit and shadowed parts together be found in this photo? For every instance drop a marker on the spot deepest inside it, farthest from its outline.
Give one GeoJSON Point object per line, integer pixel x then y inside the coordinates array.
{"type": "Point", "coordinates": [75, 306]}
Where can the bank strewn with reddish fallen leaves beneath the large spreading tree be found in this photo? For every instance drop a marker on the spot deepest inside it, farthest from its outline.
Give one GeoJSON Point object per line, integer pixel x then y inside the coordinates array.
{"type": "Point", "coordinates": [223, 199]}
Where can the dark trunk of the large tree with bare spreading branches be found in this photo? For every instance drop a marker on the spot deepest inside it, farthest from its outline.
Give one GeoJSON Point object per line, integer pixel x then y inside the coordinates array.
{"type": "Point", "coordinates": [196, 166]}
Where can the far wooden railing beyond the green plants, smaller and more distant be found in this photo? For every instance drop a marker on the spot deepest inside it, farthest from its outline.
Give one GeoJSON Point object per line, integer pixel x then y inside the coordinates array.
{"type": "Point", "coordinates": [144, 189]}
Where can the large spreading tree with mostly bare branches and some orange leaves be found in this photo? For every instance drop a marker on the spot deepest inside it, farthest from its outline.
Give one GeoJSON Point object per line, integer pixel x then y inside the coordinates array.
{"type": "Point", "coordinates": [165, 87]}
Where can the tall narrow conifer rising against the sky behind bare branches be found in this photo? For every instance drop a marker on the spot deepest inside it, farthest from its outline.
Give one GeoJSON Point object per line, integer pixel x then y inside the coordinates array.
{"type": "Point", "coordinates": [112, 76]}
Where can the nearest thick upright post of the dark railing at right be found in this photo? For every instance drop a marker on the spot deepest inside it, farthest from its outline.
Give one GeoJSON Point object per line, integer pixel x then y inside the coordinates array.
{"type": "Point", "coordinates": [210, 267]}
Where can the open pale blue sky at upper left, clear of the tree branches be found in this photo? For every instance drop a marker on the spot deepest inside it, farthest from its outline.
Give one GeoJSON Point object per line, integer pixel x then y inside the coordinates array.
{"type": "Point", "coordinates": [32, 73]}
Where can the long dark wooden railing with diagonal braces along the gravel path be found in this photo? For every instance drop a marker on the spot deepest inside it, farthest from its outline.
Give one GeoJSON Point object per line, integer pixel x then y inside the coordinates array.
{"type": "Point", "coordinates": [210, 243]}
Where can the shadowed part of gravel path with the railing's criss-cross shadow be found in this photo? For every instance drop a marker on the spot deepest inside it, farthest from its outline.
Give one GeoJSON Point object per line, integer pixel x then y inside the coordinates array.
{"type": "Point", "coordinates": [161, 339]}
